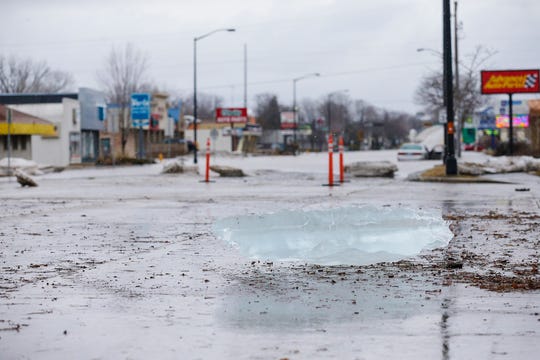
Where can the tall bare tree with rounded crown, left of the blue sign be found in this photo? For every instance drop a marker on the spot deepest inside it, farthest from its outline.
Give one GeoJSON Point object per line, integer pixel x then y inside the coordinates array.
{"type": "Point", "coordinates": [124, 73]}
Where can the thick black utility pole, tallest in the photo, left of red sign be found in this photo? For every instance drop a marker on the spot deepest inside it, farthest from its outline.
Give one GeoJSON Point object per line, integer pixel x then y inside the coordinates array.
{"type": "Point", "coordinates": [451, 162]}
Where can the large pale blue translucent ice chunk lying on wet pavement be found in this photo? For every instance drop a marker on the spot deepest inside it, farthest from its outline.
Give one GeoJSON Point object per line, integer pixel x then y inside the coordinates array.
{"type": "Point", "coordinates": [348, 235]}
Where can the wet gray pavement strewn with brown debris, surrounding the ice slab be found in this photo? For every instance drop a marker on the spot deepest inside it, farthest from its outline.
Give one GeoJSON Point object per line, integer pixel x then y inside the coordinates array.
{"type": "Point", "coordinates": [122, 263]}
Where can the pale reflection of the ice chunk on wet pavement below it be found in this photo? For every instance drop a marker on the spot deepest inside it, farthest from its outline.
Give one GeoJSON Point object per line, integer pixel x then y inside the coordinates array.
{"type": "Point", "coordinates": [292, 297]}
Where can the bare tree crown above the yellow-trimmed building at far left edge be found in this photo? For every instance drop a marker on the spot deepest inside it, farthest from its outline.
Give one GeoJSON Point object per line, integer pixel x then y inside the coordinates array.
{"type": "Point", "coordinates": [19, 75]}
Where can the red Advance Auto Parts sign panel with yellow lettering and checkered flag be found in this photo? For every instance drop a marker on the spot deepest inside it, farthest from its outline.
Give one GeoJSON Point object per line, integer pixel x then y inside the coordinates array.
{"type": "Point", "coordinates": [510, 81]}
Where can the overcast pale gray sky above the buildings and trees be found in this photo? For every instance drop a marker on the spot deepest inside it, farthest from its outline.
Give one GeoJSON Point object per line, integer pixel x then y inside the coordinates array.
{"type": "Point", "coordinates": [367, 47]}
